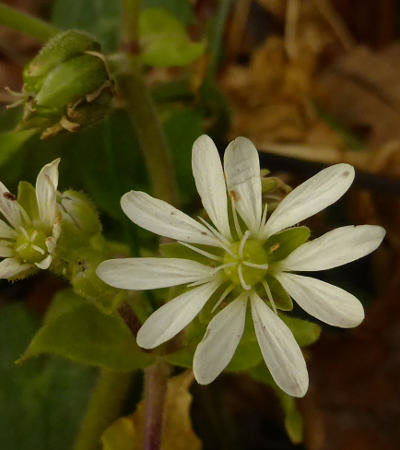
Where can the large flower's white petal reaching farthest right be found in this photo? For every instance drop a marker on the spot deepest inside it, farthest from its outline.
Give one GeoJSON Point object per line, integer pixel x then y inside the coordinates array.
{"type": "Point", "coordinates": [335, 248]}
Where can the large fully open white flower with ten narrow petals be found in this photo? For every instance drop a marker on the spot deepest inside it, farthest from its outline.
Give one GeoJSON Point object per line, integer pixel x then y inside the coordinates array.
{"type": "Point", "coordinates": [245, 262]}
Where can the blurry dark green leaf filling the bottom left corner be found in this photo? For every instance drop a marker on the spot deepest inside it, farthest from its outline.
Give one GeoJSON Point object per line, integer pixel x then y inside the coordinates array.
{"type": "Point", "coordinates": [41, 402]}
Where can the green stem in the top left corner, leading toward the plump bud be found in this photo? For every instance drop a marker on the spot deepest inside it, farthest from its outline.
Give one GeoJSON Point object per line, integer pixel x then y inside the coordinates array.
{"type": "Point", "coordinates": [26, 24]}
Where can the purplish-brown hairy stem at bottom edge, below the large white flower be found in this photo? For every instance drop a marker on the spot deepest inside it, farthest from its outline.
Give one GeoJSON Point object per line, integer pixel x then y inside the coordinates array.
{"type": "Point", "coordinates": [155, 390]}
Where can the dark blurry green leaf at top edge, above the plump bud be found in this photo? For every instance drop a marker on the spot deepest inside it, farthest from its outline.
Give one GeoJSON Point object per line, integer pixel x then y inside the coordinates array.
{"type": "Point", "coordinates": [99, 17]}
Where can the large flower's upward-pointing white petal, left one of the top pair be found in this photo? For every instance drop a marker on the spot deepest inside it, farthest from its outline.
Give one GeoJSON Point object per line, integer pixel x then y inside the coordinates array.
{"type": "Point", "coordinates": [210, 182]}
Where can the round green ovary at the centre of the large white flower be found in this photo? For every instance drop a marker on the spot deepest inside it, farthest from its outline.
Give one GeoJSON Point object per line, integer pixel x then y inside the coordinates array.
{"type": "Point", "coordinates": [253, 253]}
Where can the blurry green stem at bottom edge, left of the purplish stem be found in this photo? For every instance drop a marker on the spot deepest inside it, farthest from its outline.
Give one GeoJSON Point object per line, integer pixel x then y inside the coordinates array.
{"type": "Point", "coordinates": [104, 407]}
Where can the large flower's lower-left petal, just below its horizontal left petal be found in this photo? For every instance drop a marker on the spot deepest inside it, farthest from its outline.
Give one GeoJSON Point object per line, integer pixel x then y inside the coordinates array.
{"type": "Point", "coordinates": [174, 316]}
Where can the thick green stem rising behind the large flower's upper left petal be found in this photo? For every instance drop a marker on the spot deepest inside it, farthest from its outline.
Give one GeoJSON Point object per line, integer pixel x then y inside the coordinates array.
{"type": "Point", "coordinates": [149, 131]}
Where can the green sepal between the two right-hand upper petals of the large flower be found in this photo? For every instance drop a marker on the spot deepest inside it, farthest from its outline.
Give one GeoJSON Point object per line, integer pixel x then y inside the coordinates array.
{"type": "Point", "coordinates": [281, 244]}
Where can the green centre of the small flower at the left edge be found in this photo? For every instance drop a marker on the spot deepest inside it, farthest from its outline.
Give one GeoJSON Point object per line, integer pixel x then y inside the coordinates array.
{"type": "Point", "coordinates": [30, 245]}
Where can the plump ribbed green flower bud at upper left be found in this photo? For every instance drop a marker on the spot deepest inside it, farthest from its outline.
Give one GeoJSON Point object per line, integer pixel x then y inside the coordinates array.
{"type": "Point", "coordinates": [66, 86]}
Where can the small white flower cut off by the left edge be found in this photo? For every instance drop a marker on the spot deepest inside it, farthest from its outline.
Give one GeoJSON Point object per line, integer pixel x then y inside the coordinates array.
{"type": "Point", "coordinates": [29, 233]}
